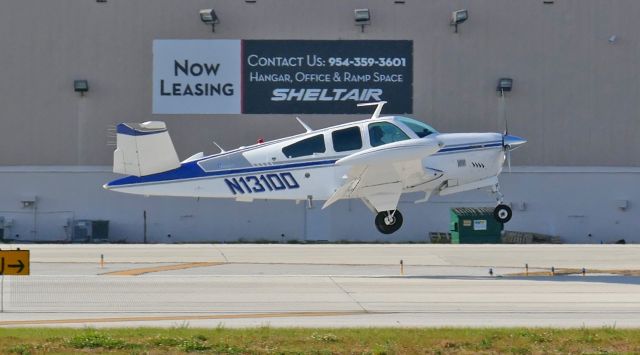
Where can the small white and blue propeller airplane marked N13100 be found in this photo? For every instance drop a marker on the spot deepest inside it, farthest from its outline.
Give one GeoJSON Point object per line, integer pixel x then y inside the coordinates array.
{"type": "Point", "coordinates": [375, 160]}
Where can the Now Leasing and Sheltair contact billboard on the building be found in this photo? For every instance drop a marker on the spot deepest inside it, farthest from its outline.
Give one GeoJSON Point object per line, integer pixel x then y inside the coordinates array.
{"type": "Point", "coordinates": [280, 76]}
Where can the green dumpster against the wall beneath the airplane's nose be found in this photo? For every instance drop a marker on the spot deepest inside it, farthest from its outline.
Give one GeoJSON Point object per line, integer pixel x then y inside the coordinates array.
{"type": "Point", "coordinates": [474, 225]}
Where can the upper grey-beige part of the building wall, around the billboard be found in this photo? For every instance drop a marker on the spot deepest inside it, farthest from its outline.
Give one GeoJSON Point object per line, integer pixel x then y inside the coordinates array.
{"type": "Point", "coordinates": [575, 94]}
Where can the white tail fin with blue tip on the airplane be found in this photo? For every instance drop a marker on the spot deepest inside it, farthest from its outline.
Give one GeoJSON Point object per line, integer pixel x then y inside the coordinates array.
{"type": "Point", "coordinates": [144, 149]}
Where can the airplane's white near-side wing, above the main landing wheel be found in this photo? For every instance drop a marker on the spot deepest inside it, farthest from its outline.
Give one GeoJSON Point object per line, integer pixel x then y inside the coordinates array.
{"type": "Point", "coordinates": [378, 175]}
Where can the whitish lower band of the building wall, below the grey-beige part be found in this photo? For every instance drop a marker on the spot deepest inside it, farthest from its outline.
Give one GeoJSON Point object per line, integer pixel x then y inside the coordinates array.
{"type": "Point", "coordinates": [569, 202]}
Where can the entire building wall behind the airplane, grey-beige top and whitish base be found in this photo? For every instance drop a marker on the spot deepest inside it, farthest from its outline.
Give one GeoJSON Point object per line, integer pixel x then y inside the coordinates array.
{"type": "Point", "coordinates": [575, 99]}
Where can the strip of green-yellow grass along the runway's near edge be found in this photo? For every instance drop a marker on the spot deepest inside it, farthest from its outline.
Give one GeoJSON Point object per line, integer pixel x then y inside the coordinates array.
{"type": "Point", "coordinates": [183, 340]}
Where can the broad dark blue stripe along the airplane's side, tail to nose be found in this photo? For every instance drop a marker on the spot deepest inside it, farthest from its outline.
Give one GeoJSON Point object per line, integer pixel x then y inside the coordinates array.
{"type": "Point", "coordinates": [192, 170]}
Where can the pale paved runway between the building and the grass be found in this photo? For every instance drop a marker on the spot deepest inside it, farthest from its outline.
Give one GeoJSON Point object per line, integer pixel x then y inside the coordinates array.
{"type": "Point", "coordinates": [322, 286]}
